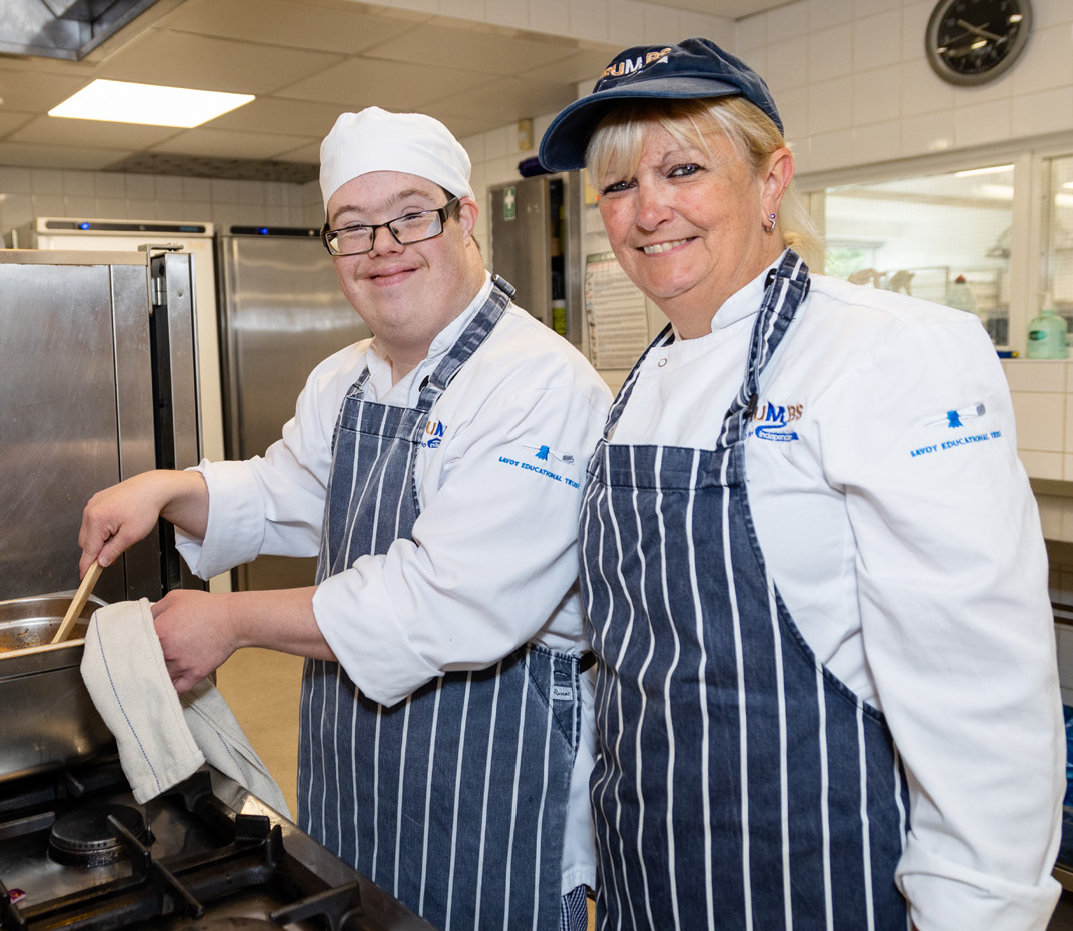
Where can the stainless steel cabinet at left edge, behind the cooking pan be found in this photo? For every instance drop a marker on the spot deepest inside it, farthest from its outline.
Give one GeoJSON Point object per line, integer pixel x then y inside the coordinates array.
{"type": "Point", "coordinates": [98, 383]}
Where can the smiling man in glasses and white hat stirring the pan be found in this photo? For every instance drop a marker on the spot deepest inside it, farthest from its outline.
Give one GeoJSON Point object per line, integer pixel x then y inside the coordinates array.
{"type": "Point", "coordinates": [437, 470]}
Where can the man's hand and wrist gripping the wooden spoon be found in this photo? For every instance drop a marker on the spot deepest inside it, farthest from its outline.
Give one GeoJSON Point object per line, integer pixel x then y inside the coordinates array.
{"type": "Point", "coordinates": [119, 518]}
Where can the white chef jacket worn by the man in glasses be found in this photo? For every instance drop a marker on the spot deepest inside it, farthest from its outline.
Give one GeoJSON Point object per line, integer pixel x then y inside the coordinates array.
{"type": "Point", "coordinates": [493, 560]}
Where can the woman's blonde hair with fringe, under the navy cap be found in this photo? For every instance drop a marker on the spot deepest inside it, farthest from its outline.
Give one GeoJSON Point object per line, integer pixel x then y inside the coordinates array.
{"type": "Point", "coordinates": [615, 150]}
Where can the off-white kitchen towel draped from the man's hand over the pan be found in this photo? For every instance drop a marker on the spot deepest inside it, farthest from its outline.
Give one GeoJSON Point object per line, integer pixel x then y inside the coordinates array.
{"type": "Point", "coordinates": [164, 737]}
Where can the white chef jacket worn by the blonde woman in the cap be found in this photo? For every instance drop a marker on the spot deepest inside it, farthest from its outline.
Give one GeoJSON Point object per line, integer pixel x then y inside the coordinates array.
{"type": "Point", "coordinates": [909, 553]}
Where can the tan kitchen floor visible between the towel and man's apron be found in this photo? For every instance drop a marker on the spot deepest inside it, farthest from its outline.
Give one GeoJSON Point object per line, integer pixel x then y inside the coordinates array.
{"type": "Point", "coordinates": [262, 688]}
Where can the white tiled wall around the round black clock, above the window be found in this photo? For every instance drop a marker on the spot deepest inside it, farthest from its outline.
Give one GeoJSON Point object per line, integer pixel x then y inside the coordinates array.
{"type": "Point", "coordinates": [854, 86]}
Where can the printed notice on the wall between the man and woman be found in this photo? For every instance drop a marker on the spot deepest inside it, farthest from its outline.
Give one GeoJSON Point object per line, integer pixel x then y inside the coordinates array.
{"type": "Point", "coordinates": [615, 308]}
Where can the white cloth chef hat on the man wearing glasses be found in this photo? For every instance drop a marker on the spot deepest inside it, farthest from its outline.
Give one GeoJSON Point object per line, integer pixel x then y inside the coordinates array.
{"type": "Point", "coordinates": [378, 141]}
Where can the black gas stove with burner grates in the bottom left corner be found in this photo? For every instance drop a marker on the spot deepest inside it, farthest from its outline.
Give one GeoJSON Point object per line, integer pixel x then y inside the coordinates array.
{"type": "Point", "coordinates": [78, 852]}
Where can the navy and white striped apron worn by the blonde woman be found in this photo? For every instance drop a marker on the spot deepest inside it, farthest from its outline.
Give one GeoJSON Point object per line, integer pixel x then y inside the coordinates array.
{"type": "Point", "coordinates": [739, 784]}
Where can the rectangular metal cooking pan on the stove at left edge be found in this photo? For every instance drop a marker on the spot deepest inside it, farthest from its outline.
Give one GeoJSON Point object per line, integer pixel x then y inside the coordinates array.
{"type": "Point", "coordinates": [48, 719]}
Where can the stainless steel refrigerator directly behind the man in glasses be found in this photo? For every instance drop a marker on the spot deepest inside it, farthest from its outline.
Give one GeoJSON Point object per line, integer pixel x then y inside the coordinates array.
{"type": "Point", "coordinates": [281, 313]}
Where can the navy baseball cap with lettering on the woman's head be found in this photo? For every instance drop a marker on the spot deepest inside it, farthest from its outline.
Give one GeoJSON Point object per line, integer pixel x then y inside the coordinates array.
{"type": "Point", "coordinates": [695, 68]}
